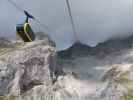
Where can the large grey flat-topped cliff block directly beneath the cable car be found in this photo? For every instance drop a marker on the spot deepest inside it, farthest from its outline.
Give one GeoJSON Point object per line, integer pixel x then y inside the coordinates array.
{"type": "Point", "coordinates": [27, 65]}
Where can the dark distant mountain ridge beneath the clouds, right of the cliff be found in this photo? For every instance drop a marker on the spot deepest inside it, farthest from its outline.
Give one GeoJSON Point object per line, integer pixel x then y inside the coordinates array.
{"type": "Point", "coordinates": [102, 49]}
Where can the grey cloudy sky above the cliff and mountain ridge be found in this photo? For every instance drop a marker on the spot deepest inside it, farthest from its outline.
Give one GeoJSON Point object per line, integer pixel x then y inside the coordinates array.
{"type": "Point", "coordinates": [95, 20]}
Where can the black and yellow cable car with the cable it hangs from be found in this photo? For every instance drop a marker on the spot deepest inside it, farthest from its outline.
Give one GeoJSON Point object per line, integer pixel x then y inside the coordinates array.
{"type": "Point", "coordinates": [24, 30]}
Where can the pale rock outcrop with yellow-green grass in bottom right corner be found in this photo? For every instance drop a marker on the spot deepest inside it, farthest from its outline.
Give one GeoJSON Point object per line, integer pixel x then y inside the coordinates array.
{"type": "Point", "coordinates": [119, 83]}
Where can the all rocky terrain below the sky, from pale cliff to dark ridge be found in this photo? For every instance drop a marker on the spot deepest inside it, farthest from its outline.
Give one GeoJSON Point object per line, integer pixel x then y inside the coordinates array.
{"type": "Point", "coordinates": [33, 71]}
